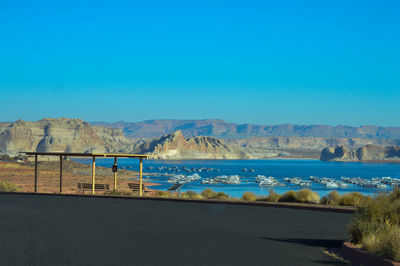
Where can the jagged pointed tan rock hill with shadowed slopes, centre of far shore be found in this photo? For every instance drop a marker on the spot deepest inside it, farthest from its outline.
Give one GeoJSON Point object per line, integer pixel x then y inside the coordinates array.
{"type": "Point", "coordinates": [175, 146]}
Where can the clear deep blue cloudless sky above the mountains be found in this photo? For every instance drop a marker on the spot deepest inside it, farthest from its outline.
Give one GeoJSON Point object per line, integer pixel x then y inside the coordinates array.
{"type": "Point", "coordinates": [263, 62]}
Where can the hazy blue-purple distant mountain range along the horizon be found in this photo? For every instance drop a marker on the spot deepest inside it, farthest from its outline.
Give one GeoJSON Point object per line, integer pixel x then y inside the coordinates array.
{"type": "Point", "coordinates": [222, 129]}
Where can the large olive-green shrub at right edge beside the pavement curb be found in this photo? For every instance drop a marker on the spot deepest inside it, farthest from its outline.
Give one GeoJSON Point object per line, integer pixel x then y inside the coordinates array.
{"type": "Point", "coordinates": [376, 223]}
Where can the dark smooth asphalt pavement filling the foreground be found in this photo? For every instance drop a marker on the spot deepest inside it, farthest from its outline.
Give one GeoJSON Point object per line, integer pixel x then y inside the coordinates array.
{"type": "Point", "coordinates": [53, 230]}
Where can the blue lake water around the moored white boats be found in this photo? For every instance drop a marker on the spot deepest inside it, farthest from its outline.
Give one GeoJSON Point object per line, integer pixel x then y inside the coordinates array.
{"type": "Point", "coordinates": [279, 169]}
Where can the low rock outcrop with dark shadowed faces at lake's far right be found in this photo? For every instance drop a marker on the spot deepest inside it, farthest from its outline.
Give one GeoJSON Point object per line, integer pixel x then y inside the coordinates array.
{"type": "Point", "coordinates": [366, 153]}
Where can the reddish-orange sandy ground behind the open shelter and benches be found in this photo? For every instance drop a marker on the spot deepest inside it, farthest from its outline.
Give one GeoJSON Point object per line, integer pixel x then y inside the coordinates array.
{"type": "Point", "coordinates": [22, 175]}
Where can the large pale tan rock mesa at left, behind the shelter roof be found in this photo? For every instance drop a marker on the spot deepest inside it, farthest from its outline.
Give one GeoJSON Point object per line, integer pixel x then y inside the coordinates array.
{"type": "Point", "coordinates": [63, 134]}
